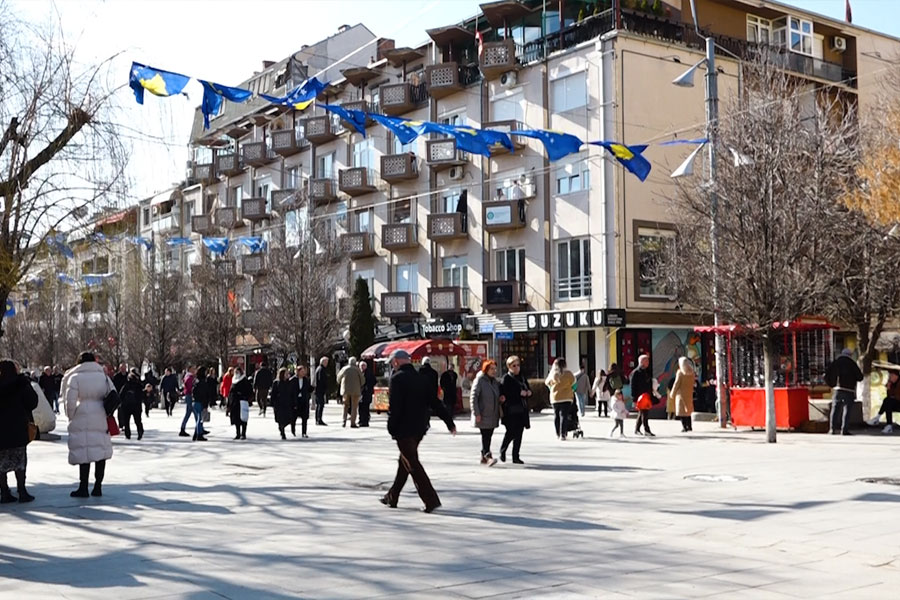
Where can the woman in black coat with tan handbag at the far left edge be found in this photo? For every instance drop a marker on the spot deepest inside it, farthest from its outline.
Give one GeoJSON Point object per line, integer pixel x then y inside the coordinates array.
{"type": "Point", "coordinates": [17, 400]}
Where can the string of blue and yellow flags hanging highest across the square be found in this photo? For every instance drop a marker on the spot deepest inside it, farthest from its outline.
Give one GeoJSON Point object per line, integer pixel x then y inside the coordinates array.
{"type": "Point", "coordinates": [484, 142]}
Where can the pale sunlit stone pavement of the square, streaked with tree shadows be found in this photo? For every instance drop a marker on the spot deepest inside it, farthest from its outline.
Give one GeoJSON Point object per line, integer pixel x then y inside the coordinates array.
{"type": "Point", "coordinates": [593, 518]}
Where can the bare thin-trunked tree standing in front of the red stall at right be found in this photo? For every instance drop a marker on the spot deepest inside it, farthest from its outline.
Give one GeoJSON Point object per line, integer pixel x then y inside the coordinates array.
{"type": "Point", "coordinates": [793, 148]}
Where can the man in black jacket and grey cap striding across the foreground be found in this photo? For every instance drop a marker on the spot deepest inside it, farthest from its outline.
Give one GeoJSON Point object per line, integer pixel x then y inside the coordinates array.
{"type": "Point", "coordinates": [408, 418]}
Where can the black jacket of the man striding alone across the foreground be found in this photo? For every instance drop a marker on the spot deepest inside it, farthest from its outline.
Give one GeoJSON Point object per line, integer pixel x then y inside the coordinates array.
{"type": "Point", "coordinates": [408, 413]}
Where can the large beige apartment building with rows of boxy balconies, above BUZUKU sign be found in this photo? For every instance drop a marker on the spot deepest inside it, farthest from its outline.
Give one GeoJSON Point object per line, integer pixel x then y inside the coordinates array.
{"type": "Point", "coordinates": [544, 259]}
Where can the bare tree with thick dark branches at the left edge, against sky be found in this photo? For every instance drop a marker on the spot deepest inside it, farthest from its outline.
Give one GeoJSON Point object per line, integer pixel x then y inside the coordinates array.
{"type": "Point", "coordinates": [59, 151]}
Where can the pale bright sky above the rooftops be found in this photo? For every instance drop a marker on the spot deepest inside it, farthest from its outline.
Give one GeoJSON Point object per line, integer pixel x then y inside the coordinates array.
{"type": "Point", "coordinates": [226, 40]}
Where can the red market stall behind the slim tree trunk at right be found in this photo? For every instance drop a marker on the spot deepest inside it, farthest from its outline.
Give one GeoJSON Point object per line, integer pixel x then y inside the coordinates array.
{"type": "Point", "coordinates": [803, 349]}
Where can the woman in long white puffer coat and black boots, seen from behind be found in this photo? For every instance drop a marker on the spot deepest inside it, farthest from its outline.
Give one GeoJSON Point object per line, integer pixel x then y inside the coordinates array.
{"type": "Point", "coordinates": [83, 389]}
